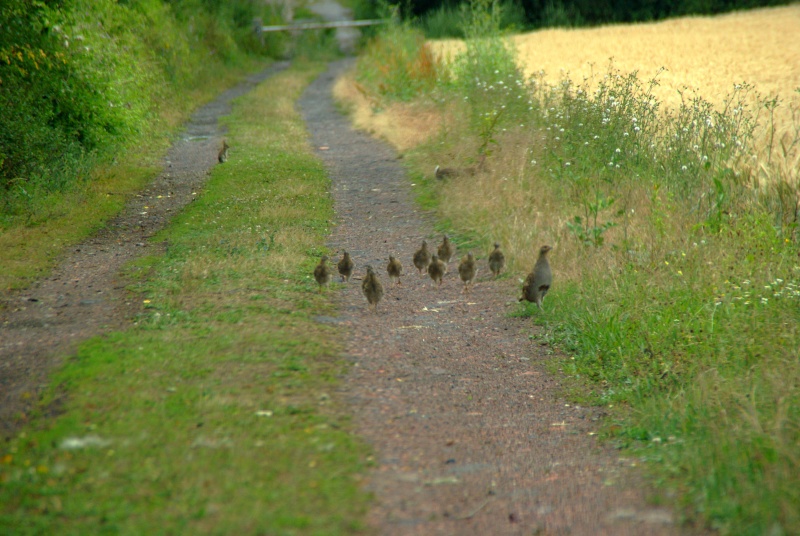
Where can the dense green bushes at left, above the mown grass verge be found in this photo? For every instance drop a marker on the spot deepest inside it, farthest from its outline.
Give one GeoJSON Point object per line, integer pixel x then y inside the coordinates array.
{"type": "Point", "coordinates": [82, 79]}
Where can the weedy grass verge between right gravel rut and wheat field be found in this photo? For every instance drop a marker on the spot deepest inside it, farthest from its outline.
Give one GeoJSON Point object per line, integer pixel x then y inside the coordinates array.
{"type": "Point", "coordinates": [677, 297]}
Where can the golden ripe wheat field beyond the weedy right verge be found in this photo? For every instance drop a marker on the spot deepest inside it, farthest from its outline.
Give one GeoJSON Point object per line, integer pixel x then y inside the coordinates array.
{"type": "Point", "coordinates": [705, 54]}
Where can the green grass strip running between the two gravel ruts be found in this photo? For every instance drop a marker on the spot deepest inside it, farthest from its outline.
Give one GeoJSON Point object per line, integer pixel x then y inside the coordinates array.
{"type": "Point", "coordinates": [216, 413]}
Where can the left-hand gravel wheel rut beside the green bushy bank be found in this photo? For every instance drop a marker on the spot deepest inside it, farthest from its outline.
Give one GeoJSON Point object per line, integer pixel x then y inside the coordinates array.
{"type": "Point", "coordinates": [85, 295]}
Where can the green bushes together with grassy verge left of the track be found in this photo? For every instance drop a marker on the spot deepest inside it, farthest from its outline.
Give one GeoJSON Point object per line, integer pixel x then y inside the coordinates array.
{"type": "Point", "coordinates": [90, 92]}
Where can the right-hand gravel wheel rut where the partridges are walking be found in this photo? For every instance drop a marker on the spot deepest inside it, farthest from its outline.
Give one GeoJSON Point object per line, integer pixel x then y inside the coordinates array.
{"type": "Point", "coordinates": [469, 432]}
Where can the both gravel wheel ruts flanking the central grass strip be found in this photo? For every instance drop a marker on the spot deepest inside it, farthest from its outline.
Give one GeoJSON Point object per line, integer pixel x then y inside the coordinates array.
{"type": "Point", "coordinates": [469, 434]}
